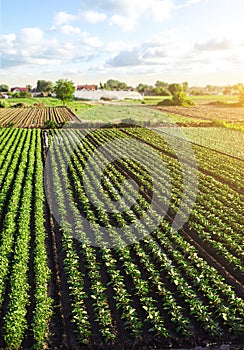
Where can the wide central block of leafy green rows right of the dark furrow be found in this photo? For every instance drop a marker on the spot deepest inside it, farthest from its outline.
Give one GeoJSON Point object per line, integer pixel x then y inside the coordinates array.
{"type": "Point", "coordinates": [156, 277]}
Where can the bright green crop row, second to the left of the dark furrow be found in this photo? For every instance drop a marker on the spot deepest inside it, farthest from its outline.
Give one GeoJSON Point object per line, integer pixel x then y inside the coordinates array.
{"type": "Point", "coordinates": [15, 322]}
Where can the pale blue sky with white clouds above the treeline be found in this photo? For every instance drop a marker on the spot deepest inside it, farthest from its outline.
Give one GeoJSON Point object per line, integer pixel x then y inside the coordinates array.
{"type": "Point", "coordinates": [135, 41]}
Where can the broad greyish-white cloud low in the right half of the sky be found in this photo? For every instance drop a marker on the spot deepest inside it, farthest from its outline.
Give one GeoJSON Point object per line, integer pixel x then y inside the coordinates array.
{"type": "Point", "coordinates": [170, 53]}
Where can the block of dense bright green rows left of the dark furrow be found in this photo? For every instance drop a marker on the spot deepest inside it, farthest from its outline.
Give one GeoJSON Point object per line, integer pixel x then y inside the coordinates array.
{"type": "Point", "coordinates": [24, 187]}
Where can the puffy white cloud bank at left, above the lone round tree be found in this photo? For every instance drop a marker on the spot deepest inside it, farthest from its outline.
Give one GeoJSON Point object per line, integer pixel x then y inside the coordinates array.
{"type": "Point", "coordinates": [30, 47]}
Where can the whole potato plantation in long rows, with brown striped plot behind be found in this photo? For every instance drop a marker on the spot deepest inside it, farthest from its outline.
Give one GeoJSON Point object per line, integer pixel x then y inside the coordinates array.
{"type": "Point", "coordinates": [170, 289]}
